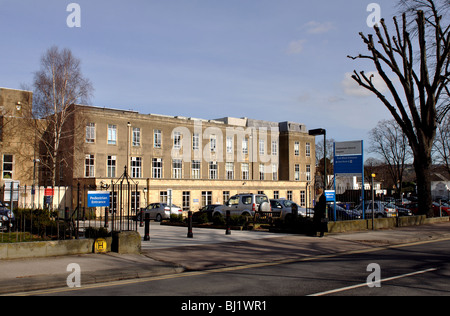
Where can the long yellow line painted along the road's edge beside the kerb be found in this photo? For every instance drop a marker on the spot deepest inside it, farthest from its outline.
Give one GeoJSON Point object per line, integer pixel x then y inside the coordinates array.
{"type": "Point", "coordinates": [226, 269]}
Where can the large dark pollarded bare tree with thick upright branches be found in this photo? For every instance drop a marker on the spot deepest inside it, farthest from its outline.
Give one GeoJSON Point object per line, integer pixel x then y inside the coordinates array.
{"type": "Point", "coordinates": [418, 99]}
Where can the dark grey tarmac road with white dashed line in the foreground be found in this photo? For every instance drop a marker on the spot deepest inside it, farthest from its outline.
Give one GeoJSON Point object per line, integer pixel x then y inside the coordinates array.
{"type": "Point", "coordinates": [421, 269]}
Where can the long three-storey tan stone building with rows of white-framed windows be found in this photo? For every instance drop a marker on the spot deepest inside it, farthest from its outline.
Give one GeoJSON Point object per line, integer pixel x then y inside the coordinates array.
{"type": "Point", "coordinates": [200, 161]}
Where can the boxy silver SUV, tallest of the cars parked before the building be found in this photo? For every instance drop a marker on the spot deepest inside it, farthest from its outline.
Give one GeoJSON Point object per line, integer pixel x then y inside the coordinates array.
{"type": "Point", "coordinates": [246, 204]}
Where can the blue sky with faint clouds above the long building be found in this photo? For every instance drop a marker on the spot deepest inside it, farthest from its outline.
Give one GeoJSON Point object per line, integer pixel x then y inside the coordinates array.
{"type": "Point", "coordinates": [264, 59]}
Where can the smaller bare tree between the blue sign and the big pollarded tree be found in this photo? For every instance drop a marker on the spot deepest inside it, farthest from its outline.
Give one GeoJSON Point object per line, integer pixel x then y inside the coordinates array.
{"type": "Point", "coordinates": [390, 143]}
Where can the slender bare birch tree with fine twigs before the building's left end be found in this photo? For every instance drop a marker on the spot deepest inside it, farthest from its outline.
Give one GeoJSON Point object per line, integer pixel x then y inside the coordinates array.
{"type": "Point", "coordinates": [57, 86]}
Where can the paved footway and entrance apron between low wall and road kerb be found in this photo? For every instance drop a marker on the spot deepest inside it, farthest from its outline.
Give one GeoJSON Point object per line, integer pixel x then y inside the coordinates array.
{"type": "Point", "coordinates": [169, 251]}
